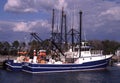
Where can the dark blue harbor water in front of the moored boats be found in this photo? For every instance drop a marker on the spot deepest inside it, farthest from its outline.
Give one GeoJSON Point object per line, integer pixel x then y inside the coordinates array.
{"type": "Point", "coordinates": [110, 75]}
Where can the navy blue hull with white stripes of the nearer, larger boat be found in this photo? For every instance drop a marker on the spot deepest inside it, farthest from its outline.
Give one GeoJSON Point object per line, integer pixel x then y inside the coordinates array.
{"type": "Point", "coordinates": [46, 68]}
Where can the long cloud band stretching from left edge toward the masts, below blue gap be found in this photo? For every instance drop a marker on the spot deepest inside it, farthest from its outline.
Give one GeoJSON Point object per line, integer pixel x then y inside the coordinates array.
{"type": "Point", "coordinates": [24, 26]}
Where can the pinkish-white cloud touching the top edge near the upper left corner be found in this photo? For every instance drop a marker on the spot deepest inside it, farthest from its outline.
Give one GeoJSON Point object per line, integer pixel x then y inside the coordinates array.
{"type": "Point", "coordinates": [20, 6]}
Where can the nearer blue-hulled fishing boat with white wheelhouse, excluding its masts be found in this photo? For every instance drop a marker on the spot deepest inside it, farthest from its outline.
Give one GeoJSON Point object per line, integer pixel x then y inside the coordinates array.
{"type": "Point", "coordinates": [74, 62]}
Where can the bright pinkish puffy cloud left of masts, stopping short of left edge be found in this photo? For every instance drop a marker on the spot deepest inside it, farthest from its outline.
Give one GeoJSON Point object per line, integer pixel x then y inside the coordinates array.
{"type": "Point", "coordinates": [31, 26]}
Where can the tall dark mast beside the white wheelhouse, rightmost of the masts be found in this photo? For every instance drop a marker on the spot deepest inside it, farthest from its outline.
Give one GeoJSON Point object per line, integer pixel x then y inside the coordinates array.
{"type": "Point", "coordinates": [80, 33]}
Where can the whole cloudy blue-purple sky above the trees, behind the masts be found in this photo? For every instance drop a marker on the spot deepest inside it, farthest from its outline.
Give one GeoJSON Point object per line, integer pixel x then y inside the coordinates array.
{"type": "Point", "coordinates": [18, 18]}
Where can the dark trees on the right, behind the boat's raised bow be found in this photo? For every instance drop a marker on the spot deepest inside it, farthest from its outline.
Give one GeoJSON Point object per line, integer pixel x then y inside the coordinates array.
{"type": "Point", "coordinates": [106, 45]}
